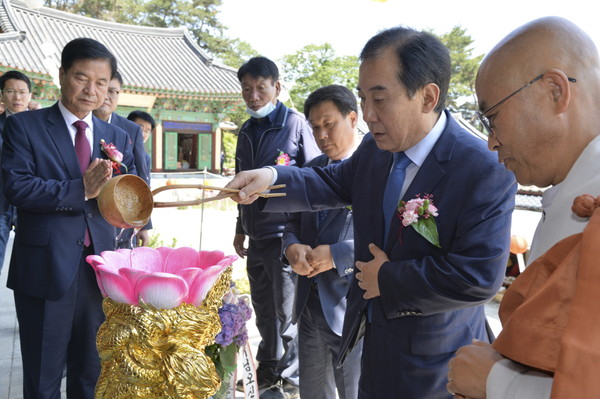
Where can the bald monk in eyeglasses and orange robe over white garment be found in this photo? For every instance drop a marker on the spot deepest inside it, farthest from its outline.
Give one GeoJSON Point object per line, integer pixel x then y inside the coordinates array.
{"type": "Point", "coordinates": [538, 92]}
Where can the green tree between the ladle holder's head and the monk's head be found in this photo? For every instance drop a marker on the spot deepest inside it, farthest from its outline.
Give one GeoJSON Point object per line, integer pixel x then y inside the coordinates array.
{"type": "Point", "coordinates": [461, 95]}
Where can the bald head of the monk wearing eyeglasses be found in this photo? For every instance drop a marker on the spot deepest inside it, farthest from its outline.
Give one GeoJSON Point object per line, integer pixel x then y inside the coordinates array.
{"type": "Point", "coordinates": [541, 130]}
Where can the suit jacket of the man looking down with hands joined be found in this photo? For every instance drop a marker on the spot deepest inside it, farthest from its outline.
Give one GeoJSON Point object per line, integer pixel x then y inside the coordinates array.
{"type": "Point", "coordinates": [332, 285]}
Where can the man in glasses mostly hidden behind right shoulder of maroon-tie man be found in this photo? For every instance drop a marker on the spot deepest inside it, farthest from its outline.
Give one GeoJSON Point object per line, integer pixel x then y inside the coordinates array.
{"type": "Point", "coordinates": [107, 113]}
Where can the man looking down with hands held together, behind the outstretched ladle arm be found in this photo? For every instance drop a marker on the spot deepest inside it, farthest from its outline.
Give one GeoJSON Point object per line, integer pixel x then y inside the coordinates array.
{"type": "Point", "coordinates": [320, 248]}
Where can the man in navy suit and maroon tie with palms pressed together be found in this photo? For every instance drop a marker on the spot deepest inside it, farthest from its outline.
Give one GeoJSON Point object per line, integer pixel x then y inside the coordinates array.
{"type": "Point", "coordinates": [53, 171]}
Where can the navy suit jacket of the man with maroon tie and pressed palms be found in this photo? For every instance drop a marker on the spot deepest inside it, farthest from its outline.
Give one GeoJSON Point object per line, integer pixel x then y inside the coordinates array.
{"type": "Point", "coordinates": [43, 180]}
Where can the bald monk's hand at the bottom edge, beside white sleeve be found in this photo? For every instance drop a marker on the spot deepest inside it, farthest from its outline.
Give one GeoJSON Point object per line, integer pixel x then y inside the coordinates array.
{"type": "Point", "coordinates": [468, 371]}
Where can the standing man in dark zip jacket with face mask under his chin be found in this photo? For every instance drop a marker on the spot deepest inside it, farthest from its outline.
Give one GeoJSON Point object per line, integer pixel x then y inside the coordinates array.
{"type": "Point", "coordinates": [275, 134]}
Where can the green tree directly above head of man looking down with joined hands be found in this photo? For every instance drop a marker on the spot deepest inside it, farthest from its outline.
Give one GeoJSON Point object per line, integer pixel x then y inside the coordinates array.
{"type": "Point", "coordinates": [316, 66]}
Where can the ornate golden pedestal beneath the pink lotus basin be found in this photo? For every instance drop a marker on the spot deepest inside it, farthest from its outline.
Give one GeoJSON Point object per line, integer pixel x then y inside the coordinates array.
{"type": "Point", "coordinates": [153, 353]}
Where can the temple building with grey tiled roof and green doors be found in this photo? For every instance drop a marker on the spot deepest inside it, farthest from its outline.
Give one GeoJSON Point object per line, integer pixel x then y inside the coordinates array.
{"type": "Point", "coordinates": [165, 73]}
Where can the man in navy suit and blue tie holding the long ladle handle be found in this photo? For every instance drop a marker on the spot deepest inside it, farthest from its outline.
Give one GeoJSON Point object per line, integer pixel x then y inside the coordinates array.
{"type": "Point", "coordinates": [416, 301]}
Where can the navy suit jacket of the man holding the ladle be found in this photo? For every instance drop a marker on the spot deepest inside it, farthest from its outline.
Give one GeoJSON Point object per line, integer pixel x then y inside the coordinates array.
{"type": "Point", "coordinates": [431, 298]}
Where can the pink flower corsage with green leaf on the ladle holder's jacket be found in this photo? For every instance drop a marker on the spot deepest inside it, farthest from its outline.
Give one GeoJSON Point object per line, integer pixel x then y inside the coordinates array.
{"type": "Point", "coordinates": [420, 213]}
